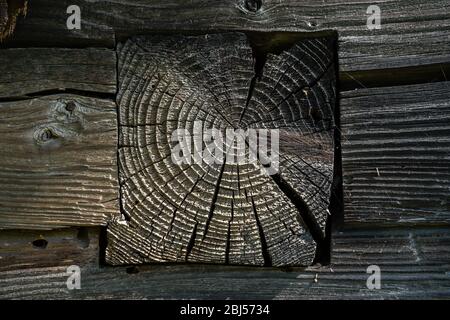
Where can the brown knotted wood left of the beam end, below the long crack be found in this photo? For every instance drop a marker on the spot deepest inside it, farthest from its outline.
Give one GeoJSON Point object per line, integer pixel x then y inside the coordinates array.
{"type": "Point", "coordinates": [58, 162]}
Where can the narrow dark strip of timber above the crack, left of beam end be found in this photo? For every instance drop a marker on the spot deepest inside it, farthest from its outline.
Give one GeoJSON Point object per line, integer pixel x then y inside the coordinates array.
{"type": "Point", "coordinates": [31, 71]}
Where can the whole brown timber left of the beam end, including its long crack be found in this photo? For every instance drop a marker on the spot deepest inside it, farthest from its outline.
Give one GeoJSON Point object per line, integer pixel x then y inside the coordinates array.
{"type": "Point", "coordinates": [58, 152]}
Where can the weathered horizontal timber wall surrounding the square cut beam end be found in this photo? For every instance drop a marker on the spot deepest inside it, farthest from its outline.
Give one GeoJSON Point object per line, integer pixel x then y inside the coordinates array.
{"type": "Point", "coordinates": [59, 184]}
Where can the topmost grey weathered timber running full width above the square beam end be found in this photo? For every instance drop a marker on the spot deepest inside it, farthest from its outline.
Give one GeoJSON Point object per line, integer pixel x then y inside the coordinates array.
{"type": "Point", "coordinates": [413, 32]}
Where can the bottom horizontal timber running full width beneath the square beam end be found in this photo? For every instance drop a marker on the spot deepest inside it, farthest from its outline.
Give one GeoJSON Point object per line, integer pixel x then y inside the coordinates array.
{"type": "Point", "coordinates": [415, 264]}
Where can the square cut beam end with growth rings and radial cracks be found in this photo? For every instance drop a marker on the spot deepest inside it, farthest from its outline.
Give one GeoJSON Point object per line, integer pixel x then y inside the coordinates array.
{"type": "Point", "coordinates": [223, 212]}
